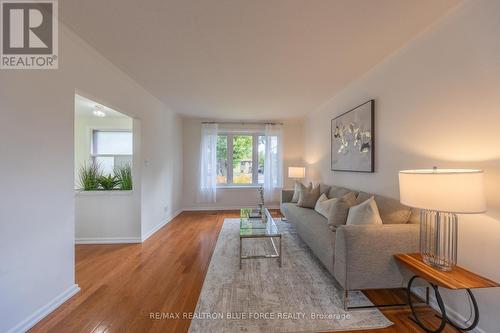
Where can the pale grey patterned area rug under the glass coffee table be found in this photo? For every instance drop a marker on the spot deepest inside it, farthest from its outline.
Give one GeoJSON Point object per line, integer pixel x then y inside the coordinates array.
{"type": "Point", "coordinates": [301, 296]}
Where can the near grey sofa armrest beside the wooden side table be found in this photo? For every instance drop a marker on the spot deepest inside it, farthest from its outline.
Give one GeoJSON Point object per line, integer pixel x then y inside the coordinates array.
{"type": "Point", "coordinates": [364, 255]}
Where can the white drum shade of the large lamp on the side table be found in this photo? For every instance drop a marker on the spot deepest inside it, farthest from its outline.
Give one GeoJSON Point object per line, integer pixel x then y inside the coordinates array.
{"type": "Point", "coordinates": [458, 191]}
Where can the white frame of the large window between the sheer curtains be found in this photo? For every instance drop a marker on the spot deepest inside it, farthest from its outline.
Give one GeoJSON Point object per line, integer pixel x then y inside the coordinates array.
{"type": "Point", "coordinates": [255, 159]}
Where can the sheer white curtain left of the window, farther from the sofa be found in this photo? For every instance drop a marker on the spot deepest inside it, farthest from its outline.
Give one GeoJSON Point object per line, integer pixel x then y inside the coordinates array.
{"type": "Point", "coordinates": [207, 190]}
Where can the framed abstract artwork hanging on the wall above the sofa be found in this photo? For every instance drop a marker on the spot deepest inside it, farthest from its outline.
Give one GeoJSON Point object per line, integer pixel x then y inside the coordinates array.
{"type": "Point", "coordinates": [352, 139]}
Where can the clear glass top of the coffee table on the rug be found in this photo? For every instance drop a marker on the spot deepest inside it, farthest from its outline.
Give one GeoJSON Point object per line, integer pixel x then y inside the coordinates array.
{"type": "Point", "coordinates": [257, 226]}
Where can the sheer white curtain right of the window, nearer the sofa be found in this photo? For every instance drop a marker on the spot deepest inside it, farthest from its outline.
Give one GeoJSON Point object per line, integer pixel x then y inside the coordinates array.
{"type": "Point", "coordinates": [273, 161]}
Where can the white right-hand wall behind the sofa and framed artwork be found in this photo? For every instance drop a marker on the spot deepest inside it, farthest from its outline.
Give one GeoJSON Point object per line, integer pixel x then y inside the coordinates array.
{"type": "Point", "coordinates": [437, 103]}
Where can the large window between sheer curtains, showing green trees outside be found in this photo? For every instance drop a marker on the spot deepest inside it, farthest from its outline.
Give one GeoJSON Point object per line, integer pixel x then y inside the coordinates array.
{"type": "Point", "coordinates": [240, 159]}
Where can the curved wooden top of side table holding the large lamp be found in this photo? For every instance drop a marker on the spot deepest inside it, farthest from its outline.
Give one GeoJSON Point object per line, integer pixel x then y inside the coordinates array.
{"type": "Point", "coordinates": [458, 278]}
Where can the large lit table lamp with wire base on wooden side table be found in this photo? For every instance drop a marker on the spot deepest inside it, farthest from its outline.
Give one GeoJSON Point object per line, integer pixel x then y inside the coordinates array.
{"type": "Point", "coordinates": [441, 194]}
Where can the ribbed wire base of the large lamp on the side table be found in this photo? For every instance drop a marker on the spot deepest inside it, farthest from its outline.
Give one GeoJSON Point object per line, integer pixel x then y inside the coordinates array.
{"type": "Point", "coordinates": [438, 239]}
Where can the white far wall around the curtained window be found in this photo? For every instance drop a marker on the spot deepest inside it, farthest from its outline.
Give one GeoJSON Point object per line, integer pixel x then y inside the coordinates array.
{"type": "Point", "coordinates": [234, 198]}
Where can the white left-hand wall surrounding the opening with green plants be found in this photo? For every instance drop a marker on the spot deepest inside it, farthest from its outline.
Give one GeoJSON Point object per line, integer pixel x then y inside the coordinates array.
{"type": "Point", "coordinates": [37, 172]}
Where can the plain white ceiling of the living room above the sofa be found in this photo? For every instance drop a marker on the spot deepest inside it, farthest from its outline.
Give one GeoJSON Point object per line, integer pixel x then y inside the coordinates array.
{"type": "Point", "coordinates": [248, 59]}
